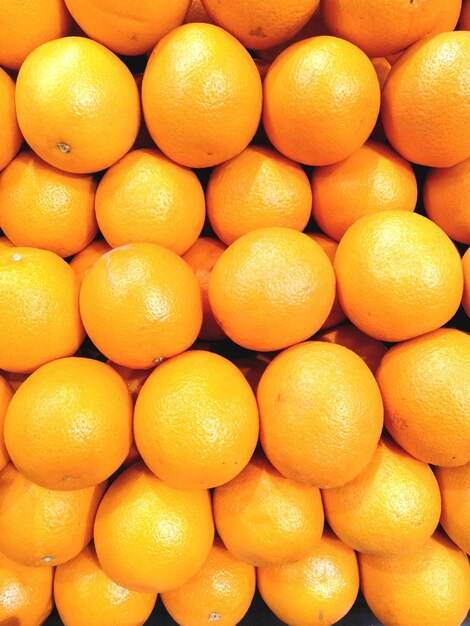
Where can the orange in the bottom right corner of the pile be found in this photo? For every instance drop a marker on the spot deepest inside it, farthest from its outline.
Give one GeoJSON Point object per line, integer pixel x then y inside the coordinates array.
{"type": "Point", "coordinates": [428, 586]}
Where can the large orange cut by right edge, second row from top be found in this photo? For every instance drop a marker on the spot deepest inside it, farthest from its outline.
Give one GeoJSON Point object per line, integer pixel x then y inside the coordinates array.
{"type": "Point", "coordinates": [425, 106]}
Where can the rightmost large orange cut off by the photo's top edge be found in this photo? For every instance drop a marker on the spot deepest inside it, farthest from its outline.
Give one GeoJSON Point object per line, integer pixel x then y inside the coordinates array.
{"type": "Point", "coordinates": [383, 27]}
